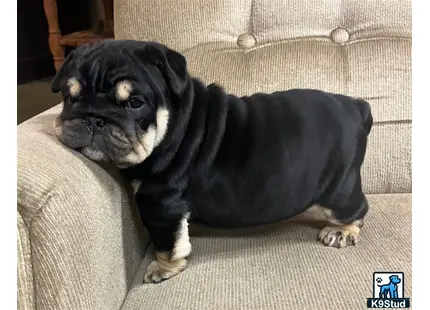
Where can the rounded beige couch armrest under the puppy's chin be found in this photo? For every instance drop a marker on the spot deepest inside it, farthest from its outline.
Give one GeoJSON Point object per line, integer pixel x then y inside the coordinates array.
{"type": "Point", "coordinates": [80, 240]}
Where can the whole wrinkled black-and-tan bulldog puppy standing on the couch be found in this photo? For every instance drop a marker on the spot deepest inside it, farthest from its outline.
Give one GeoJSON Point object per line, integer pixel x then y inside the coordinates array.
{"type": "Point", "coordinates": [194, 152]}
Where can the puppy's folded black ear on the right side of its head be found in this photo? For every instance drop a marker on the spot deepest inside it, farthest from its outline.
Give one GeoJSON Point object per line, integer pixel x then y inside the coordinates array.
{"type": "Point", "coordinates": [172, 64]}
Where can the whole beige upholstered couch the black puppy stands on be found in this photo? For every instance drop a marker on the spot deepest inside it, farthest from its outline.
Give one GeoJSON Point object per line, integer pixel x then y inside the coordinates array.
{"type": "Point", "coordinates": [80, 242]}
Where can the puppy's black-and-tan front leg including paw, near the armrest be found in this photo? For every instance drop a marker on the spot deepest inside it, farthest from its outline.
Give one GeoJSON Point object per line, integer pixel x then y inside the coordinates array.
{"type": "Point", "coordinates": [172, 245]}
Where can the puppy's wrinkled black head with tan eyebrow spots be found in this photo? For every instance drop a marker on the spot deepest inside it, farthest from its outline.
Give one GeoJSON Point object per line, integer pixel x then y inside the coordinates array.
{"type": "Point", "coordinates": [118, 99]}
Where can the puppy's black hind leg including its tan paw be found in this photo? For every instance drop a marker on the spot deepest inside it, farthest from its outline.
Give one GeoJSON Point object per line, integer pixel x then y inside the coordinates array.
{"type": "Point", "coordinates": [345, 210]}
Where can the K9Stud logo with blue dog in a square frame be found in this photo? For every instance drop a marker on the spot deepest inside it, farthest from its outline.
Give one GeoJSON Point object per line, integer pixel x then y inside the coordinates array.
{"type": "Point", "coordinates": [388, 291]}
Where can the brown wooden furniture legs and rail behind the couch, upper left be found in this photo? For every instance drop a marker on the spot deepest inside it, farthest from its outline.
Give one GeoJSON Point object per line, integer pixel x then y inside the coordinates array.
{"type": "Point", "coordinates": [58, 42]}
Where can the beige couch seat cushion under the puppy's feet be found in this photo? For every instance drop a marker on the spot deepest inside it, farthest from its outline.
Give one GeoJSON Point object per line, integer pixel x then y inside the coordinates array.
{"type": "Point", "coordinates": [282, 266]}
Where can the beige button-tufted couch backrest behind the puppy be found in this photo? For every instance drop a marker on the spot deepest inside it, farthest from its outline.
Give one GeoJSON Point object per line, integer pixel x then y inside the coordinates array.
{"type": "Point", "coordinates": [360, 48]}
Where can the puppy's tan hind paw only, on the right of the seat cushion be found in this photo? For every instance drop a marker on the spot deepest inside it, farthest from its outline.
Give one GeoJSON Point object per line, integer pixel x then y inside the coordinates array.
{"type": "Point", "coordinates": [339, 236]}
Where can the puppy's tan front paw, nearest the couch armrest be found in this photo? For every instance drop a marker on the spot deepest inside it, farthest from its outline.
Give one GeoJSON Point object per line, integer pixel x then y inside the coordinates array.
{"type": "Point", "coordinates": [162, 268]}
